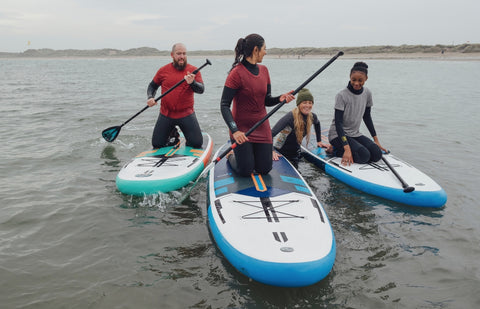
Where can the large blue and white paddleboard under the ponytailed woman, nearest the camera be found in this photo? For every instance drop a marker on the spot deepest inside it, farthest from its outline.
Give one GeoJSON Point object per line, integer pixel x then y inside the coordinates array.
{"type": "Point", "coordinates": [271, 227]}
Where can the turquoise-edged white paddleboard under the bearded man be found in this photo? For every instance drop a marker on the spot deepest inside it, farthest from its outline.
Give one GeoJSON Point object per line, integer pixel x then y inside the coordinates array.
{"type": "Point", "coordinates": [165, 169]}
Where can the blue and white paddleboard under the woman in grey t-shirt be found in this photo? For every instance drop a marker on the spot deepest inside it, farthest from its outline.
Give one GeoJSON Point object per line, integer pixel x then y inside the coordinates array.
{"type": "Point", "coordinates": [376, 178]}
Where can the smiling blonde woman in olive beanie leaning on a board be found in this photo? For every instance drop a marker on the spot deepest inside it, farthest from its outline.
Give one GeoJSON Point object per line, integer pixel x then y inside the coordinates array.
{"type": "Point", "coordinates": [290, 130]}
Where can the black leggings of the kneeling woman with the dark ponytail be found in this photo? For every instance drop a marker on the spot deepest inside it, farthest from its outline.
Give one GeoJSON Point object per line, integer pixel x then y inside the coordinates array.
{"type": "Point", "coordinates": [250, 157]}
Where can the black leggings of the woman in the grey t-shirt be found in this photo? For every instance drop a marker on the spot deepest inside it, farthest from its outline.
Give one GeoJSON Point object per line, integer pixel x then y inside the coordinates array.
{"type": "Point", "coordinates": [364, 150]}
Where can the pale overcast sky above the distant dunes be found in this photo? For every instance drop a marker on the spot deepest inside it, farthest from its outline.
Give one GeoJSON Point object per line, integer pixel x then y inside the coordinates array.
{"type": "Point", "coordinates": [217, 24]}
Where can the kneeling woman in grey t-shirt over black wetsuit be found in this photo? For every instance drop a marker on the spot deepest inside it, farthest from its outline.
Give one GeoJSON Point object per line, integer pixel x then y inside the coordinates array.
{"type": "Point", "coordinates": [353, 104]}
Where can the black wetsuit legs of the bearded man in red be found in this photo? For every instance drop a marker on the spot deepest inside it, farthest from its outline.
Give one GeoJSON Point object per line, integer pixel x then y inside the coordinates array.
{"type": "Point", "coordinates": [189, 126]}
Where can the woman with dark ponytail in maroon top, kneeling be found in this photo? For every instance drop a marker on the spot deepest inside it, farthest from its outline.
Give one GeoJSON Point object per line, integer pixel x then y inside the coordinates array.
{"type": "Point", "coordinates": [248, 86]}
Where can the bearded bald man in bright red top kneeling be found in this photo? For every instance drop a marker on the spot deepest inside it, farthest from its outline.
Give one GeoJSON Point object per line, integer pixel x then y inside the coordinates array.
{"type": "Point", "coordinates": [176, 108]}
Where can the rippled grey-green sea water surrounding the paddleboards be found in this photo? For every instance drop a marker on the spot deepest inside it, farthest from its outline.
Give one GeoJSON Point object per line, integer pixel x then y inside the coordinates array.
{"type": "Point", "coordinates": [69, 239]}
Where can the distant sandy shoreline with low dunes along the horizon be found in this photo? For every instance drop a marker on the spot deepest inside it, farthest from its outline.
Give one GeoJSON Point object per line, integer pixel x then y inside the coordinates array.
{"type": "Point", "coordinates": [465, 51]}
